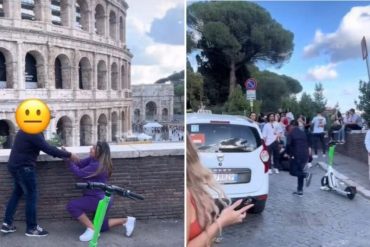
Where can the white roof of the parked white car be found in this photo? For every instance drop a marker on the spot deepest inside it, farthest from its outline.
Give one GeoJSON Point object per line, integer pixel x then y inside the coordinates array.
{"type": "Point", "coordinates": [193, 118]}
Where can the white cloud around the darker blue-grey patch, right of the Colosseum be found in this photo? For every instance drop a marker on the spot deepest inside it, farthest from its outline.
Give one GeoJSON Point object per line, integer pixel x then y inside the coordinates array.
{"type": "Point", "coordinates": [152, 60]}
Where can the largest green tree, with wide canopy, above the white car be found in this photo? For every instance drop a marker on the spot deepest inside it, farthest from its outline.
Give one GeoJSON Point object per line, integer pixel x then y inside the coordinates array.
{"type": "Point", "coordinates": [234, 34]}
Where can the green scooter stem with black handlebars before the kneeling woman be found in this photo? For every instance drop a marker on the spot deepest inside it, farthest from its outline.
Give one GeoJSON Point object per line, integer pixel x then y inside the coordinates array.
{"type": "Point", "coordinates": [103, 204]}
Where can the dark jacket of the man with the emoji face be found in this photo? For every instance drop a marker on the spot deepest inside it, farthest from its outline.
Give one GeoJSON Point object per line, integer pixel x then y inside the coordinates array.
{"type": "Point", "coordinates": [27, 147]}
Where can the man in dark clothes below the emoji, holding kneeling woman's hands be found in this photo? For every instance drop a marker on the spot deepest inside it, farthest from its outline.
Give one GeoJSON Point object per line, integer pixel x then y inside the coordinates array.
{"type": "Point", "coordinates": [21, 165]}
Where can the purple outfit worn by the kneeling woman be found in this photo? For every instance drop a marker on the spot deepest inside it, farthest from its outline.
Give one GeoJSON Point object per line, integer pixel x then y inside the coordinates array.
{"type": "Point", "coordinates": [90, 199]}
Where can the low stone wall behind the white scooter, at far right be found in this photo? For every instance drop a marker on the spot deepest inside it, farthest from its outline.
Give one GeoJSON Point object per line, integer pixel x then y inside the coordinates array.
{"type": "Point", "coordinates": [354, 146]}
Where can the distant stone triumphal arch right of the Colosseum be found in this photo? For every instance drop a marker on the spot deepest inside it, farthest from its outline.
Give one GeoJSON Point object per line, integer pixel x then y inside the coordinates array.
{"type": "Point", "coordinates": [152, 102]}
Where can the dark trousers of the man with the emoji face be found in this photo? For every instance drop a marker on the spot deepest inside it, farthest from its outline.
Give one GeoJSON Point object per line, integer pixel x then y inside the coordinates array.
{"type": "Point", "coordinates": [24, 180]}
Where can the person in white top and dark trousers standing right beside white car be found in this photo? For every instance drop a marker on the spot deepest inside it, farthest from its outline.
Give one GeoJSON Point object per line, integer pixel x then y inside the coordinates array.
{"type": "Point", "coordinates": [270, 134]}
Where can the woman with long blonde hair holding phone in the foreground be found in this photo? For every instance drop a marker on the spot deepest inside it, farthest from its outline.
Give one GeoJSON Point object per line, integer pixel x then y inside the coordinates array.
{"type": "Point", "coordinates": [204, 219]}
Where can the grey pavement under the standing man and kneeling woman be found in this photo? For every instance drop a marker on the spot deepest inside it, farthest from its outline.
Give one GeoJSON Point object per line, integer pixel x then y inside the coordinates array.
{"type": "Point", "coordinates": [150, 233]}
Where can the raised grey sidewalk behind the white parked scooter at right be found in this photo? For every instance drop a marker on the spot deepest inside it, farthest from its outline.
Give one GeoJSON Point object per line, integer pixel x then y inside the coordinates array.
{"type": "Point", "coordinates": [352, 172]}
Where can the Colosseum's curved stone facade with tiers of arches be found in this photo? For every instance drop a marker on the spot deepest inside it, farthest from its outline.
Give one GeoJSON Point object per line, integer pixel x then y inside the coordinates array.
{"type": "Point", "coordinates": [72, 54]}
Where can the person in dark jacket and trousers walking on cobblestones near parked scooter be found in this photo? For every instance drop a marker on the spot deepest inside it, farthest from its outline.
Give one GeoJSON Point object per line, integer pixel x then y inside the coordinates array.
{"type": "Point", "coordinates": [297, 149]}
